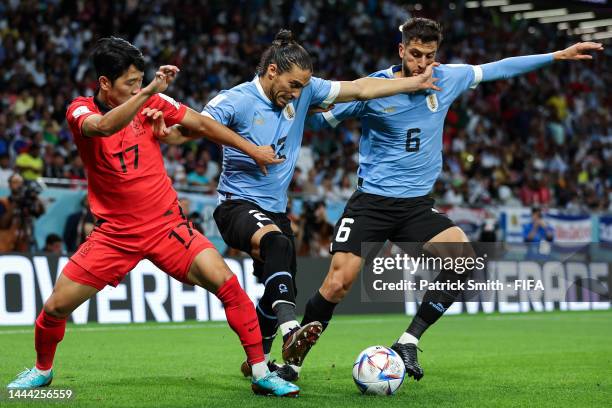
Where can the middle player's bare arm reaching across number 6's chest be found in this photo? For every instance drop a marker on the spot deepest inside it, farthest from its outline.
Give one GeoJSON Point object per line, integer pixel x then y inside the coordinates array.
{"type": "Point", "coordinates": [371, 88]}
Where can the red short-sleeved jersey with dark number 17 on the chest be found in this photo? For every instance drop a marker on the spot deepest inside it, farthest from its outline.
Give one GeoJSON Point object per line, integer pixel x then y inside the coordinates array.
{"type": "Point", "coordinates": [127, 181]}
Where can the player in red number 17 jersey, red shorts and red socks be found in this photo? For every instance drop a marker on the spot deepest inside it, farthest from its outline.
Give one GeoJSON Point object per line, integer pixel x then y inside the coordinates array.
{"type": "Point", "coordinates": [137, 209]}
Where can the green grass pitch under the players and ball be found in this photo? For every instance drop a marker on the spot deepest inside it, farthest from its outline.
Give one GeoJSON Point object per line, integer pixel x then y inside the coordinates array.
{"type": "Point", "coordinates": [538, 360]}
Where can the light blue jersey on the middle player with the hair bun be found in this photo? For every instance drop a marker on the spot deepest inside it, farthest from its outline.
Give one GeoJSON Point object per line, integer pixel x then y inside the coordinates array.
{"type": "Point", "coordinates": [249, 112]}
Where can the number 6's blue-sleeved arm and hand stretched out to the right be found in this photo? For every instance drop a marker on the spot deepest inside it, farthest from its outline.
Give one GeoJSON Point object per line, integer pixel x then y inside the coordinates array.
{"type": "Point", "coordinates": [510, 67]}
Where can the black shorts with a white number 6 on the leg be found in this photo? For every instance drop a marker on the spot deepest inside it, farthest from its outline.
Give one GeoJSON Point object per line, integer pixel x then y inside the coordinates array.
{"type": "Point", "coordinates": [374, 218]}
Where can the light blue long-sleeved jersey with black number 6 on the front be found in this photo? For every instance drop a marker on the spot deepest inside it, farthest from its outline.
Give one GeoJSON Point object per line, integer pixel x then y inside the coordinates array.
{"type": "Point", "coordinates": [400, 151]}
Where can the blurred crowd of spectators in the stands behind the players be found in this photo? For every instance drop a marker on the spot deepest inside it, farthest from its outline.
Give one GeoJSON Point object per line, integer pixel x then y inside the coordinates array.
{"type": "Point", "coordinates": [541, 139]}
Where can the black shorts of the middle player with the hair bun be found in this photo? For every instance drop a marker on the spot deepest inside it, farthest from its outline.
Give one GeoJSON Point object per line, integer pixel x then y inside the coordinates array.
{"type": "Point", "coordinates": [238, 220]}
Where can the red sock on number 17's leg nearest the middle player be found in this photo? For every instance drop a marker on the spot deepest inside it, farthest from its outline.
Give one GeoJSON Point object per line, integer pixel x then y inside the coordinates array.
{"type": "Point", "coordinates": [242, 318]}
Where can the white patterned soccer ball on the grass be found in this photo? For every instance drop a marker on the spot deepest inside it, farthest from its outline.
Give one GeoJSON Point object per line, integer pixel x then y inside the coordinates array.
{"type": "Point", "coordinates": [378, 370]}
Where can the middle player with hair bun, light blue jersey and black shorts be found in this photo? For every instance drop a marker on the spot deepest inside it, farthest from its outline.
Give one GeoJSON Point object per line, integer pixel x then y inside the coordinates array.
{"type": "Point", "coordinates": [272, 109]}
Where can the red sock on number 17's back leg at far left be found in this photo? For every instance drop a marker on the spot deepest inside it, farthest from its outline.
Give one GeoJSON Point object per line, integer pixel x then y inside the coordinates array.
{"type": "Point", "coordinates": [48, 332]}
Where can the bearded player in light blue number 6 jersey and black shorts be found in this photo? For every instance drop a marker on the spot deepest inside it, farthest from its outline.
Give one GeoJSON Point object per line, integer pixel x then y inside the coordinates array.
{"type": "Point", "coordinates": [400, 159]}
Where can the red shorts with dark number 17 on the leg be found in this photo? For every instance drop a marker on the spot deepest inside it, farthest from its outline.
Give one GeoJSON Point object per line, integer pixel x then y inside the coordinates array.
{"type": "Point", "coordinates": [109, 252]}
